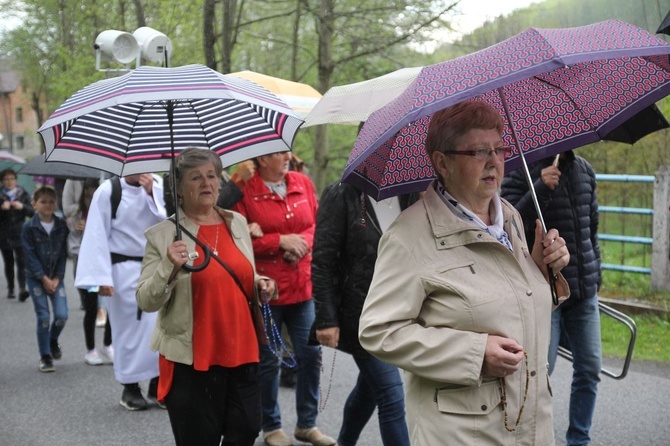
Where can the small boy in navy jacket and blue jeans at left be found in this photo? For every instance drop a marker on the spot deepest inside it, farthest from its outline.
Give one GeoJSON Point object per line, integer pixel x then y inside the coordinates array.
{"type": "Point", "coordinates": [44, 240]}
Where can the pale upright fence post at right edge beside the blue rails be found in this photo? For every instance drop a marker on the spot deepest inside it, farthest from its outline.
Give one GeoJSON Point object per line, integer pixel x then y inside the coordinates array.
{"type": "Point", "coordinates": [660, 254]}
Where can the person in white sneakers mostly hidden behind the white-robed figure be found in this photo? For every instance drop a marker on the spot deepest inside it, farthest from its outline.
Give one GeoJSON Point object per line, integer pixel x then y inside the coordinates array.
{"type": "Point", "coordinates": [89, 298]}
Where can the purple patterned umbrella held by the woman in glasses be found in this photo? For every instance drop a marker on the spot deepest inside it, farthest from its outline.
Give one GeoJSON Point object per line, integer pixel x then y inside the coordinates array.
{"type": "Point", "coordinates": [557, 89]}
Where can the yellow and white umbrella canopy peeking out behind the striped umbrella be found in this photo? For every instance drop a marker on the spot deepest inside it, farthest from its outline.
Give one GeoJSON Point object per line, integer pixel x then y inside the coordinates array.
{"type": "Point", "coordinates": [300, 97]}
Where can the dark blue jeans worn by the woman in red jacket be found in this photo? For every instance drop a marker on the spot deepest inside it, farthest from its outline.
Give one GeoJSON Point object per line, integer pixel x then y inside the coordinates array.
{"type": "Point", "coordinates": [298, 319]}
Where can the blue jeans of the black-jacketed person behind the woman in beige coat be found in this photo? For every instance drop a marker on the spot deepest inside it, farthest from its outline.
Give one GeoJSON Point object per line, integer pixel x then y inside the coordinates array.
{"type": "Point", "coordinates": [378, 385]}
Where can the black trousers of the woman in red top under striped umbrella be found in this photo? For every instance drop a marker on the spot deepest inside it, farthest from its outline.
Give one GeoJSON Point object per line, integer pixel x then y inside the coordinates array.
{"type": "Point", "coordinates": [221, 402]}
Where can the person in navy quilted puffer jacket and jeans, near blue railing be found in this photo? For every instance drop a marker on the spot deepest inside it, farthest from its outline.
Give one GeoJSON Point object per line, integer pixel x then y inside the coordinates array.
{"type": "Point", "coordinates": [566, 192]}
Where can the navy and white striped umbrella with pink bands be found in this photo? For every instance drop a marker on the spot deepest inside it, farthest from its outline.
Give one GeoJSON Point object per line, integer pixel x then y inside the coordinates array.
{"type": "Point", "coordinates": [122, 125]}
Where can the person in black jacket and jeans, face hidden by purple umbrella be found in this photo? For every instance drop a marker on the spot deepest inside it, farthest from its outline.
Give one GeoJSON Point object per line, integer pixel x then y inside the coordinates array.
{"type": "Point", "coordinates": [348, 228]}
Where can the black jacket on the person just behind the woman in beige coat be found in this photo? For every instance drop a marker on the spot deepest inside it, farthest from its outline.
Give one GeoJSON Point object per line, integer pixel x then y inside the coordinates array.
{"type": "Point", "coordinates": [343, 260]}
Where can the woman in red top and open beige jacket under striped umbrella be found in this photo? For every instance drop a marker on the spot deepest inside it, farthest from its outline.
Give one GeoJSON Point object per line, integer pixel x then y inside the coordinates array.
{"type": "Point", "coordinates": [205, 331]}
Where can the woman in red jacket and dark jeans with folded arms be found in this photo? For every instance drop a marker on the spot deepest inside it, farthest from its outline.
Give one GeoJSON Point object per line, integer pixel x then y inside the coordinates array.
{"type": "Point", "coordinates": [280, 206]}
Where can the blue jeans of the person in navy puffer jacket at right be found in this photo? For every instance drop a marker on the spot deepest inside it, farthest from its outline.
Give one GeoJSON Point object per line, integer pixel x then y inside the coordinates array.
{"type": "Point", "coordinates": [579, 323]}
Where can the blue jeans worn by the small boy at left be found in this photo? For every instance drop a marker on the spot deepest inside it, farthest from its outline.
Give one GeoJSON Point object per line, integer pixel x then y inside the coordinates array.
{"type": "Point", "coordinates": [41, 305]}
